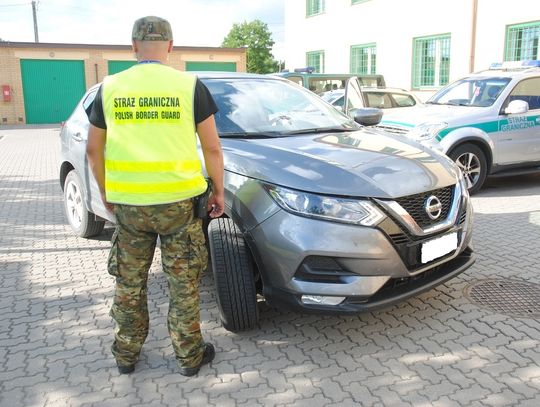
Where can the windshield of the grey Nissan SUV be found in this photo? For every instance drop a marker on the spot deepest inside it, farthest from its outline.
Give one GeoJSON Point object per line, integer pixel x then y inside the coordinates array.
{"type": "Point", "coordinates": [258, 106]}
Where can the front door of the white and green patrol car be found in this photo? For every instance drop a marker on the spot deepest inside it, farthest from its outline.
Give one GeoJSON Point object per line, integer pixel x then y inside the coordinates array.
{"type": "Point", "coordinates": [518, 138]}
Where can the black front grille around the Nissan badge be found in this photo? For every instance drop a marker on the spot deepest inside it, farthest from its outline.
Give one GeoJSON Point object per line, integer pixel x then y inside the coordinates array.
{"type": "Point", "coordinates": [414, 205]}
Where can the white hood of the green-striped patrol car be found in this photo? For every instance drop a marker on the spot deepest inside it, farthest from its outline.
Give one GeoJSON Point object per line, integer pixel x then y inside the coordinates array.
{"type": "Point", "coordinates": [413, 116]}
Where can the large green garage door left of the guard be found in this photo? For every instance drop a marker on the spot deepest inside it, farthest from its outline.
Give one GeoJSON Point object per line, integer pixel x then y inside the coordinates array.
{"type": "Point", "coordinates": [51, 89]}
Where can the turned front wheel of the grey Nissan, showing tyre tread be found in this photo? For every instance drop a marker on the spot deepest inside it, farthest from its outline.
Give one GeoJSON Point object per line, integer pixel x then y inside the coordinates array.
{"type": "Point", "coordinates": [233, 275]}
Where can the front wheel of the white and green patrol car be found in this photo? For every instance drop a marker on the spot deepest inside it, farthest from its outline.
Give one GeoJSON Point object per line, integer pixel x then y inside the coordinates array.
{"type": "Point", "coordinates": [472, 162]}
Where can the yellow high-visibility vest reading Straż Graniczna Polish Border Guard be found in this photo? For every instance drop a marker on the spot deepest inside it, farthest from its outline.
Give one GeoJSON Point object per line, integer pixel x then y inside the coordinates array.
{"type": "Point", "coordinates": [151, 148]}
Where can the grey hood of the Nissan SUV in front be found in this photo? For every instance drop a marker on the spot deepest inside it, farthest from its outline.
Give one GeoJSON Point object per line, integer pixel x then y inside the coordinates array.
{"type": "Point", "coordinates": [364, 163]}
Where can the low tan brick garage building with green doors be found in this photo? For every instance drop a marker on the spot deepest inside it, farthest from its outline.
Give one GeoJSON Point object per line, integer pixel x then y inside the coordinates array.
{"type": "Point", "coordinates": [42, 82]}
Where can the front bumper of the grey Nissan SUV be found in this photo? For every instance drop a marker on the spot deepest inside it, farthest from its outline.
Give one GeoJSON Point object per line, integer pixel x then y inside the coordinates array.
{"type": "Point", "coordinates": [368, 268]}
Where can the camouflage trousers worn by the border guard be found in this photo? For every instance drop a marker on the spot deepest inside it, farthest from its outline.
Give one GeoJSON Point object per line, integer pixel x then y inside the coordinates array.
{"type": "Point", "coordinates": [183, 257]}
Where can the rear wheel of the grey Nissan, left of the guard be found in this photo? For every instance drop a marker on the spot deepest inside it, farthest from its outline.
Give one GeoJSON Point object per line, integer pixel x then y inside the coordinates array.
{"type": "Point", "coordinates": [82, 222]}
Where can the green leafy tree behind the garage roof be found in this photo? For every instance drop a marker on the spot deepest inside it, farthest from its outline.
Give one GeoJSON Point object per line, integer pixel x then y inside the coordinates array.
{"type": "Point", "coordinates": [256, 37]}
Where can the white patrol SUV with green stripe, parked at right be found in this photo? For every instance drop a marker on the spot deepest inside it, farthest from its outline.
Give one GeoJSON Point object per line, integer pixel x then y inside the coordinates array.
{"type": "Point", "coordinates": [487, 122]}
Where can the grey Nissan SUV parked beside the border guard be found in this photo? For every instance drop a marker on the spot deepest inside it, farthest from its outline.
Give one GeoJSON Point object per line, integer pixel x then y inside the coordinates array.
{"type": "Point", "coordinates": [321, 215]}
